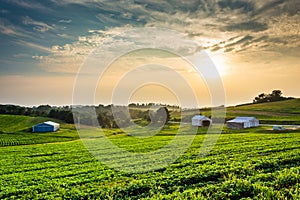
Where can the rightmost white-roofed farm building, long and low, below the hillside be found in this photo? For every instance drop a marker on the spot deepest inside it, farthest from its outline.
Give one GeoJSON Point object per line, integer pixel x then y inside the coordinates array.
{"type": "Point", "coordinates": [242, 122]}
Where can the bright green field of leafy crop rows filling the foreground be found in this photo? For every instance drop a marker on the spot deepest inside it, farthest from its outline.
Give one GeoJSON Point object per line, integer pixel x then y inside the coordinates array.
{"type": "Point", "coordinates": [255, 163]}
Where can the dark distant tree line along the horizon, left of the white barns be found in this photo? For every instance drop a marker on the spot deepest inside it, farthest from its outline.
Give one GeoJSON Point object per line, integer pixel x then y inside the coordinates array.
{"type": "Point", "coordinates": [141, 113]}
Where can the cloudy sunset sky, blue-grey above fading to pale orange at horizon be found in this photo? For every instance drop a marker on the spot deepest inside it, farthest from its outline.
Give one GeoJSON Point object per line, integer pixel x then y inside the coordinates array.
{"type": "Point", "coordinates": [44, 45]}
